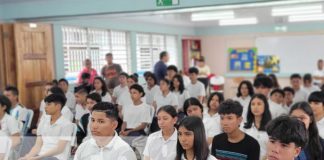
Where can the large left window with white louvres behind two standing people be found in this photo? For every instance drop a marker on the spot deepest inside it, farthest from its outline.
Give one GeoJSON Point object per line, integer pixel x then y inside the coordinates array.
{"type": "Point", "coordinates": [81, 43]}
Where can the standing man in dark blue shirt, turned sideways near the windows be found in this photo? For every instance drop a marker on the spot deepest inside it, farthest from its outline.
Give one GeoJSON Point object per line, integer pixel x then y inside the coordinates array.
{"type": "Point", "coordinates": [160, 68]}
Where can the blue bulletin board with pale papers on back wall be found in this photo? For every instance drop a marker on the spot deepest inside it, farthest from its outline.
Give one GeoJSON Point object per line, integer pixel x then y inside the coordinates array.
{"type": "Point", "coordinates": [243, 59]}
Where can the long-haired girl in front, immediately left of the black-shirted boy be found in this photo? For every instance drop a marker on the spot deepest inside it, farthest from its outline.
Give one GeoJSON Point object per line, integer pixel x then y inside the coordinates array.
{"type": "Point", "coordinates": [192, 140]}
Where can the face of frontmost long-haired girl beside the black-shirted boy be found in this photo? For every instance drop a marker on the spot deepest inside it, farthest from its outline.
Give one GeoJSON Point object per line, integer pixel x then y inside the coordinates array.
{"type": "Point", "coordinates": [186, 138]}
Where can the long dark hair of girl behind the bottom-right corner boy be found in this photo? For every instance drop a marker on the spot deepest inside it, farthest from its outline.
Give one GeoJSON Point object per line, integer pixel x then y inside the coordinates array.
{"type": "Point", "coordinates": [314, 146]}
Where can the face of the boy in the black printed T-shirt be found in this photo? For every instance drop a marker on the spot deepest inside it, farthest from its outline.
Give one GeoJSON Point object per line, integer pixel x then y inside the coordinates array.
{"type": "Point", "coordinates": [230, 122]}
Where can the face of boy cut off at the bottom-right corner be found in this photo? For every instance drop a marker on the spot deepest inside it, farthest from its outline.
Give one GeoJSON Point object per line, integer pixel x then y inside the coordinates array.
{"type": "Point", "coordinates": [281, 151]}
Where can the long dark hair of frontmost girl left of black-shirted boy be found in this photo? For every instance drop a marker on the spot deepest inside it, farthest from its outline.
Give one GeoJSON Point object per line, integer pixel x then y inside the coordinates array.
{"type": "Point", "coordinates": [200, 145]}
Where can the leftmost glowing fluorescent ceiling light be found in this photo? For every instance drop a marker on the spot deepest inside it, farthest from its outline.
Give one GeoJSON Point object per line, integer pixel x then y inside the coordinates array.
{"type": "Point", "coordinates": [207, 16]}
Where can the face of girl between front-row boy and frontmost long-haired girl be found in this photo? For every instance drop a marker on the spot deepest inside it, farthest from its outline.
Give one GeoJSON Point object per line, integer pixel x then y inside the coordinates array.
{"type": "Point", "coordinates": [165, 120]}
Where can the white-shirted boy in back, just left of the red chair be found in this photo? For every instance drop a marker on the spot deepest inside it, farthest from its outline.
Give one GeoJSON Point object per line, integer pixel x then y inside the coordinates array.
{"type": "Point", "coordinates": [196, 88]}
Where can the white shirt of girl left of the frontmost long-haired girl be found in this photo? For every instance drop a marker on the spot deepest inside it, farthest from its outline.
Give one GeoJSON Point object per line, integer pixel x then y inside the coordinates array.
{"type": "Point", "coordinates": [157, 148]}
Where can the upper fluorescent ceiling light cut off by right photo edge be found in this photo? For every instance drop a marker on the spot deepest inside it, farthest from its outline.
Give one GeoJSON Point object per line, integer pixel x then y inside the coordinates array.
{"type": "Point", "coordinates": [296, 10]}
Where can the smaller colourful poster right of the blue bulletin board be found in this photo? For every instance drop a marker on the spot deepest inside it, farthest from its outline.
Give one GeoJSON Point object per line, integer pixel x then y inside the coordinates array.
{"type": "Point", "coordinates": [268, 64]}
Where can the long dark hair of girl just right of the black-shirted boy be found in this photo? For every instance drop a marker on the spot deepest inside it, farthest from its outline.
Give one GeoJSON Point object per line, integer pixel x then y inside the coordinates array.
{"type": "Point", "coordinates": [266, 116]}
